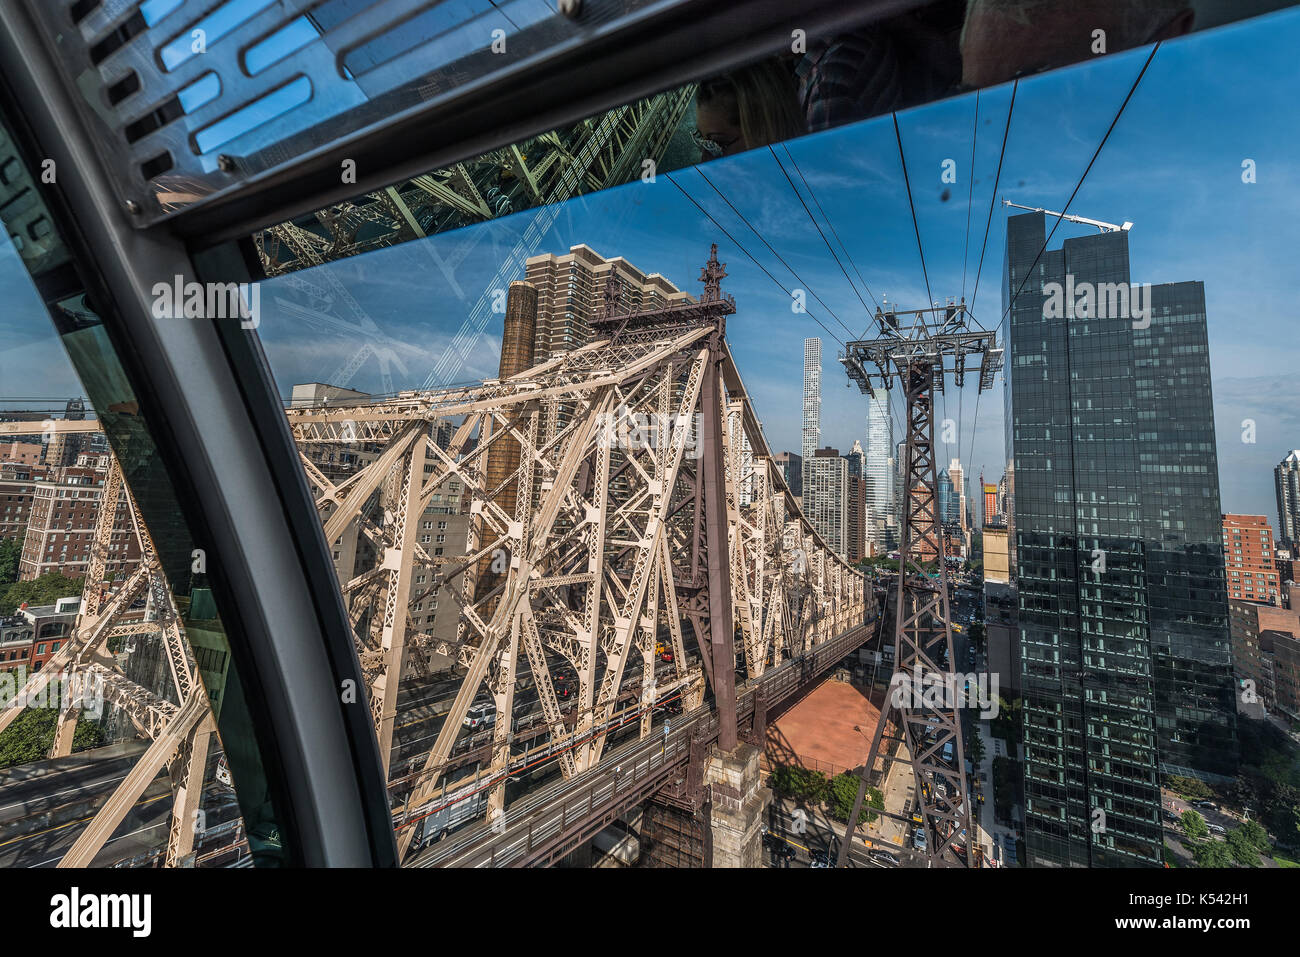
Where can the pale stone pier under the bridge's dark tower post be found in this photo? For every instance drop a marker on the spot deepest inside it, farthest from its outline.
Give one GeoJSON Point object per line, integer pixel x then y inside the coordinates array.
{"type": "Point", "coordinates": [739, 807]}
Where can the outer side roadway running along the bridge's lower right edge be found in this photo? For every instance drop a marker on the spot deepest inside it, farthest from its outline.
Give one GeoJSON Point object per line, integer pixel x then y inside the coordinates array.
{"type": "Point", "coordinates": [544, 828]}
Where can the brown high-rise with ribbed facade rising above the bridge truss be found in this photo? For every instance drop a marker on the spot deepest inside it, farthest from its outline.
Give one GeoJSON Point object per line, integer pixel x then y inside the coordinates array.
{"type": "Point", "coordinates": [571, 292]}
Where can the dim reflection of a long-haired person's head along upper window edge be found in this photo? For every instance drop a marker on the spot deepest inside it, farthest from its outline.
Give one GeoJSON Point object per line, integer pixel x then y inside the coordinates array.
{"type": "Point", "coordinates": [747, 109]}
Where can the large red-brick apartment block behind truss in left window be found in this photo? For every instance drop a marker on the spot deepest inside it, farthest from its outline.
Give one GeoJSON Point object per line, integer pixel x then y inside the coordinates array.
{"type": "Point", "coordinates": [62, 525]}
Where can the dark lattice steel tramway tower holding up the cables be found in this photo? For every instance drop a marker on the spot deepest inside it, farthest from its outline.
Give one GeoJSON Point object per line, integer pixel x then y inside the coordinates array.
{"type": "Point", "coordinates": [918, 350]}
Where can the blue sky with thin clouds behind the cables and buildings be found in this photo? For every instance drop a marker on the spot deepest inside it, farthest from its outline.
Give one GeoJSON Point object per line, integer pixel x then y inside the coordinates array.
{"type": "Point", "coordinates": [1173, 167]}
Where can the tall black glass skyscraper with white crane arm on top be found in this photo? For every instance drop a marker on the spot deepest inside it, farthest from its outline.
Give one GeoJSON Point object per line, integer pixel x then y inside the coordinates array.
{"type": "Point", "coordinates": [1116, 560]}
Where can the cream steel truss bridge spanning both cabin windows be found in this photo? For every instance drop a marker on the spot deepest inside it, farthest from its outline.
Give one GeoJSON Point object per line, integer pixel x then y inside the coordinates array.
{"type": "Point", "coordinates": [586, 551]}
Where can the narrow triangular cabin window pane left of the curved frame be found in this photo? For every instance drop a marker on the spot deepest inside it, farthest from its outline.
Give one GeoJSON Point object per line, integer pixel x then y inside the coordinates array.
{"type": "Point", "coordinates": [123, 721]}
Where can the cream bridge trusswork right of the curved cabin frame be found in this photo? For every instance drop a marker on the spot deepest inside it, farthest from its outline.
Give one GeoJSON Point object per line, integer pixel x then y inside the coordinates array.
{"type": "Point", "coordinates": [642, 490]}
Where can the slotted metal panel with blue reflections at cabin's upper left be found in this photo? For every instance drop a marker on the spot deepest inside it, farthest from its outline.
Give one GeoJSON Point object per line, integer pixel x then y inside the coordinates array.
{"type": "Point", "coordinates": [196, 97]}
